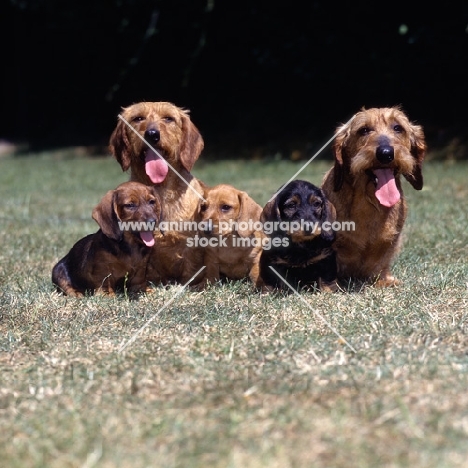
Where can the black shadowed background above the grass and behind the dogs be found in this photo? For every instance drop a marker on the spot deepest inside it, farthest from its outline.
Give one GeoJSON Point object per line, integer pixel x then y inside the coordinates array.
{"type": "Point", "coordinates": [255, 74]}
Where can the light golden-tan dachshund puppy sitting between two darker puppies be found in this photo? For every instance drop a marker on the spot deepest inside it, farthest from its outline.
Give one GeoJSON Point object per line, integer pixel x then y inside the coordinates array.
{"type": "Point", "coordinates": [231, 227]}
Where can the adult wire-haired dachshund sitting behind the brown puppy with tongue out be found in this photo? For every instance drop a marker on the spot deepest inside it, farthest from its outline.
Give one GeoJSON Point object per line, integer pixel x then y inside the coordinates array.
{"type": "Point", "coordinates": [159, 144]}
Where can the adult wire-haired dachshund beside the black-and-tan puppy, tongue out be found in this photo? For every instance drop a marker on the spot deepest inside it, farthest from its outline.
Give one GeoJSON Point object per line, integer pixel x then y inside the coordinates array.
{"type": "Point", "coordinates": [371, 152]}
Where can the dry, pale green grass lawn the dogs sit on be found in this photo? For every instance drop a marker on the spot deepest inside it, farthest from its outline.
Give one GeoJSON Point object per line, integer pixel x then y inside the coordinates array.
{"type": "Point", "coordinates": [227, 377]}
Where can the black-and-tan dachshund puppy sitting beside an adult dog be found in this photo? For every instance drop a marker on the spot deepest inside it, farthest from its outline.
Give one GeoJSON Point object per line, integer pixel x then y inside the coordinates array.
{"type": "Point", "coordinates": [299, 222]}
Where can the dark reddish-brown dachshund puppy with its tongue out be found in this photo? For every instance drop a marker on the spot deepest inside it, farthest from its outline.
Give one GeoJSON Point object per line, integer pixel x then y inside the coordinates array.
{"type": "Point", "coordinates": [113, 259]}
